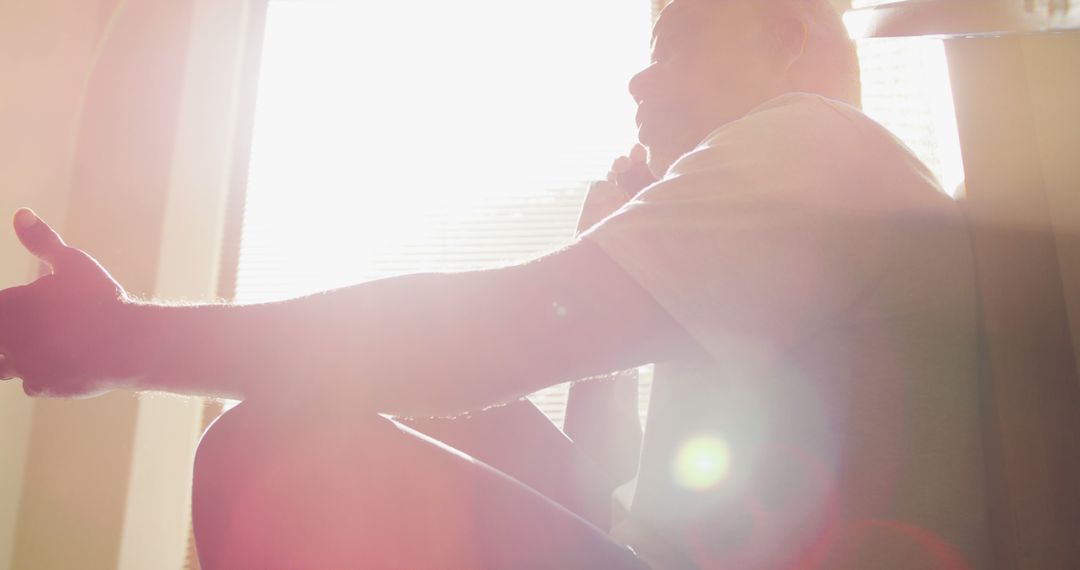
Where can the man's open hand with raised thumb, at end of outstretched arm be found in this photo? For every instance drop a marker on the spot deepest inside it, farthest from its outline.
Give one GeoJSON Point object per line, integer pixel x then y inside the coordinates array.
{"type": "Point", "coordinates": [60, 333]}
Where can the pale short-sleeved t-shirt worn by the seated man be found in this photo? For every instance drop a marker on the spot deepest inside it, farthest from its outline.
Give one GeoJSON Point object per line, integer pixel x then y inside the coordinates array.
{"type": "Point", "coordinates": [832, 284]}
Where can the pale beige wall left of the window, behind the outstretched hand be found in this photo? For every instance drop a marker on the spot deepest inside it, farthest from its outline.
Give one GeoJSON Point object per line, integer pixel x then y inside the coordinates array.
{"type": "Point", "coordinates": [115, 126]}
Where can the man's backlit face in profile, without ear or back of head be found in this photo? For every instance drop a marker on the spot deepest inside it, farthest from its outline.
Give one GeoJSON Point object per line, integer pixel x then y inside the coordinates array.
{"type": "Point", "coordinates": [711, 65]}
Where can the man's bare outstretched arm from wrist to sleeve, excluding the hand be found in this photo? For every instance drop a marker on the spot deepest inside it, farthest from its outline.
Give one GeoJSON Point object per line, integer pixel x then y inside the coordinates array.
{"type": "Point", "coordinates": [411, 345]}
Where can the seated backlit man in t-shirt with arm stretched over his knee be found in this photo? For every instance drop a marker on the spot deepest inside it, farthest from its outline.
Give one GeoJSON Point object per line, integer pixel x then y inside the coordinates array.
{"type": "Point", "coordinates": [798, 274]}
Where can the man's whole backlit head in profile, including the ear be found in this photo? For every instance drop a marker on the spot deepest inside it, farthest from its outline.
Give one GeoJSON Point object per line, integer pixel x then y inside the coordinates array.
{"type": "Point", "coordinates": [714, 61]}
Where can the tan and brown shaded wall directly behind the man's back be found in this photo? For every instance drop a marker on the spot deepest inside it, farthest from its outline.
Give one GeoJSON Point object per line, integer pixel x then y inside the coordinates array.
{"type": "Point", "coordinates": [1020, 129]}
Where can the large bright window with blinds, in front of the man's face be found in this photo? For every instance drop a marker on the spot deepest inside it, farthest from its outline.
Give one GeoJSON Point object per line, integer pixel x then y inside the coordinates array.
{"type": "Point", "coordinates": [394, 138]}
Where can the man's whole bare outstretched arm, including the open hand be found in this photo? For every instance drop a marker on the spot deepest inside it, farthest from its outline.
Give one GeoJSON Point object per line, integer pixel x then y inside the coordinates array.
{"type": "Point", "coordinates": [411, 345]}
